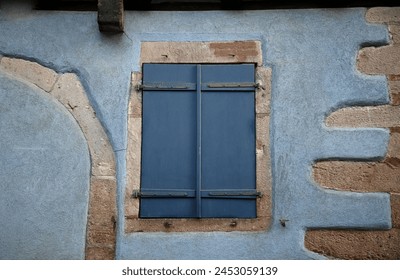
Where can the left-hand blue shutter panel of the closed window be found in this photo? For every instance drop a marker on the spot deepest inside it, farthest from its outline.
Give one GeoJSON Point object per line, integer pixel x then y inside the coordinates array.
{"type": "Point", "coordinates": [168, 142]}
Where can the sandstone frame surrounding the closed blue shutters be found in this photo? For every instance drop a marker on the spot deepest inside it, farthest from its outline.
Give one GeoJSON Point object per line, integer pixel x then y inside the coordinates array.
{"type": "Point", "coordinates": [226, 52]}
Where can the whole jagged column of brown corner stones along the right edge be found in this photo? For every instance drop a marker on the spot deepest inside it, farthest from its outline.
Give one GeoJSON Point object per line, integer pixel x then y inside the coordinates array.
{"type": "Point", "coordinates": [383, 176]}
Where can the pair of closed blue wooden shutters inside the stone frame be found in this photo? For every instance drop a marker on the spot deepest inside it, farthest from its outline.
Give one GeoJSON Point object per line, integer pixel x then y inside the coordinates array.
{"type": "Point", "coordinates": [198, 143]}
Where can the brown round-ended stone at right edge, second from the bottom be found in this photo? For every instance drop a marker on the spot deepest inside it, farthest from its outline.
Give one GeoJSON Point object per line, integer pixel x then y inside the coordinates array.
{"type": "Point", "coordinates": [359, 176]}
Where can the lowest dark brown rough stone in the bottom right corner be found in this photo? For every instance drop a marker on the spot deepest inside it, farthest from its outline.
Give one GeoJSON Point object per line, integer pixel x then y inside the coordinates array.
{"type": "Point", "coordinates": [355, 245]}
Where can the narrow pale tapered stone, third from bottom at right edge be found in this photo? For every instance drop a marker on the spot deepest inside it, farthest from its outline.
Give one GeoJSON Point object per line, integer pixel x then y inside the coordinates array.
{"type": "Point", "coordinates": [369, 116]}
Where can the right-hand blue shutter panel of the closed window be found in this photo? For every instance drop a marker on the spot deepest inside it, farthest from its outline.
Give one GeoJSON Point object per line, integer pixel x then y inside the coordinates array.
{"type": "Point", "coordinates": [228, 141]}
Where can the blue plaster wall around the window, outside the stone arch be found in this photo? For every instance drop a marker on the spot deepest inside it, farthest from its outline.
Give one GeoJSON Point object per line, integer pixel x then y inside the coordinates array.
{"type": "Point", "coordinates": [312, 54]}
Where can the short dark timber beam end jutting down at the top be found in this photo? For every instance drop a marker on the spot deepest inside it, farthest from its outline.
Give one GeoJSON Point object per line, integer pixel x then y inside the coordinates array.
{"type": "Point", "coordinates": [110, 15]}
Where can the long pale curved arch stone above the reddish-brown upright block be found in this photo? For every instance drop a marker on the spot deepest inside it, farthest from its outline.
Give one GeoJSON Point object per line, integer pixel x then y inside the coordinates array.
{"type": "Point", "coordinates": [69, 91]}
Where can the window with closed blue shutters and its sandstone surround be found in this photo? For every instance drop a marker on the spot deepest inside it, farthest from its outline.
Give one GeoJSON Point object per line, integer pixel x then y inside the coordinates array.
{"type": "Point", "coordinates": [198, 139]}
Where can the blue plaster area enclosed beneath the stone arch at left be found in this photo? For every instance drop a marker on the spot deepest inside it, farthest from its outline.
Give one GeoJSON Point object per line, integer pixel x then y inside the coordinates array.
{"type": "Point", "coordinates": [44, 176]}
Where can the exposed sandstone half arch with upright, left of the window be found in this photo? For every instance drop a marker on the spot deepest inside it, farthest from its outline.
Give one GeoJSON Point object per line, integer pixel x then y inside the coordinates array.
{"type": "Point", "coordinates": [68, 90]}
